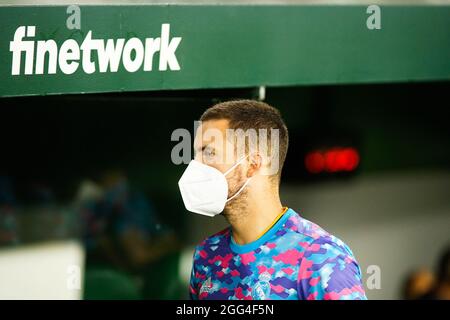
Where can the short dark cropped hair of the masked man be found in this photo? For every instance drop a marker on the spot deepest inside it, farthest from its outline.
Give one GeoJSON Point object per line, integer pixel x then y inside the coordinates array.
{"type": "Point", "coordinates": [252, 114]}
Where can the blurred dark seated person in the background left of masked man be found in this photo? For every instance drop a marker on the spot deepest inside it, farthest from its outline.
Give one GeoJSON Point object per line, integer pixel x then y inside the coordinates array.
{"type": "Point", "coordinates": [120, 224]}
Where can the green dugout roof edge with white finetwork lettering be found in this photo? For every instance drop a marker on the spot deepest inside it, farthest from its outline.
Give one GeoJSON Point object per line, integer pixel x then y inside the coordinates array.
{"type": "Point", "coordinates": [52, 47]}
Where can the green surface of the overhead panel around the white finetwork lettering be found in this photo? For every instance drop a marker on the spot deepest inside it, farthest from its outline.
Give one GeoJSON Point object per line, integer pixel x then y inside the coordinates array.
{"type": "Point", "coordinates": [242, 46]}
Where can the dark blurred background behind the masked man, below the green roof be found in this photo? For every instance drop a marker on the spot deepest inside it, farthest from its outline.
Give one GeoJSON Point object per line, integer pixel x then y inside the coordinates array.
{"type": "Point", "coordinates": [87, 181]}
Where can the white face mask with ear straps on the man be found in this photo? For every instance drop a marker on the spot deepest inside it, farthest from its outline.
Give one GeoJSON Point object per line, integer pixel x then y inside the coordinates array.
{"type": "Point", "coordinates": [204, 189]}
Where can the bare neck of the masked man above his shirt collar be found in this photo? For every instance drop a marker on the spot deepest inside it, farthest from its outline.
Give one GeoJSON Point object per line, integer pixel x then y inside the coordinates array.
{"type": "Point", "coordinates": [248, 226]}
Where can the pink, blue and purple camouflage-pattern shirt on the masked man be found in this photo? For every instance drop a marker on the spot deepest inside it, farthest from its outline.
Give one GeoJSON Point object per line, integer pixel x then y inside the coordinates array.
{"type": "Point", "coordinates": [294, 260]}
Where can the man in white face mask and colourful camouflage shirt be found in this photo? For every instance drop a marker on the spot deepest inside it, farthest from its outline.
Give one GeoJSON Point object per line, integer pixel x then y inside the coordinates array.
{"type": "Point", "coordinates": [269, 251]}
